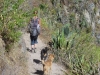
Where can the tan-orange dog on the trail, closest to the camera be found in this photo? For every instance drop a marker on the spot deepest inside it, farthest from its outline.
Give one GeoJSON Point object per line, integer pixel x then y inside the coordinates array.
{"type": "Point", "coordinates": [47, 64]}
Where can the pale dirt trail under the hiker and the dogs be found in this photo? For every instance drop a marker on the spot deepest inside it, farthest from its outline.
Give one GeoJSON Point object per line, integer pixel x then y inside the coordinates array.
{"type": "Point", "coordinates": [34, 62]}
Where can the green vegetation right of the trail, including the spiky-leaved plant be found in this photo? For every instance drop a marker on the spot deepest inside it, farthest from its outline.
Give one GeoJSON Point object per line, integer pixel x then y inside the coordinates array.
{"type": "Point", "coordinates": [78, 52]}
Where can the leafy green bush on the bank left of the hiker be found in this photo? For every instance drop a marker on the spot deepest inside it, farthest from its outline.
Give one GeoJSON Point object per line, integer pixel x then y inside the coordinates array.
{"type": "Point", "coordinates": [12, 19]}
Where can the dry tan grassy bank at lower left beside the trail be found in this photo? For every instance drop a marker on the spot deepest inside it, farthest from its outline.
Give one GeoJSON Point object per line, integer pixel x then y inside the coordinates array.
{"type": "Point", "coordinates": [14, 63]}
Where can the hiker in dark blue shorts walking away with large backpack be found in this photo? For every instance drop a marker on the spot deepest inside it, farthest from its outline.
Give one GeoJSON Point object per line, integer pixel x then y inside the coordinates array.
{"type": "Point", "coordinates": [34, 29]}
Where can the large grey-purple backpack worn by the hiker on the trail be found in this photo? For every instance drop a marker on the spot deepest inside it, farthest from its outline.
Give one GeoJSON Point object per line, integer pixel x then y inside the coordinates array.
{"type": "Point", "coordinates": [34, 27]}
